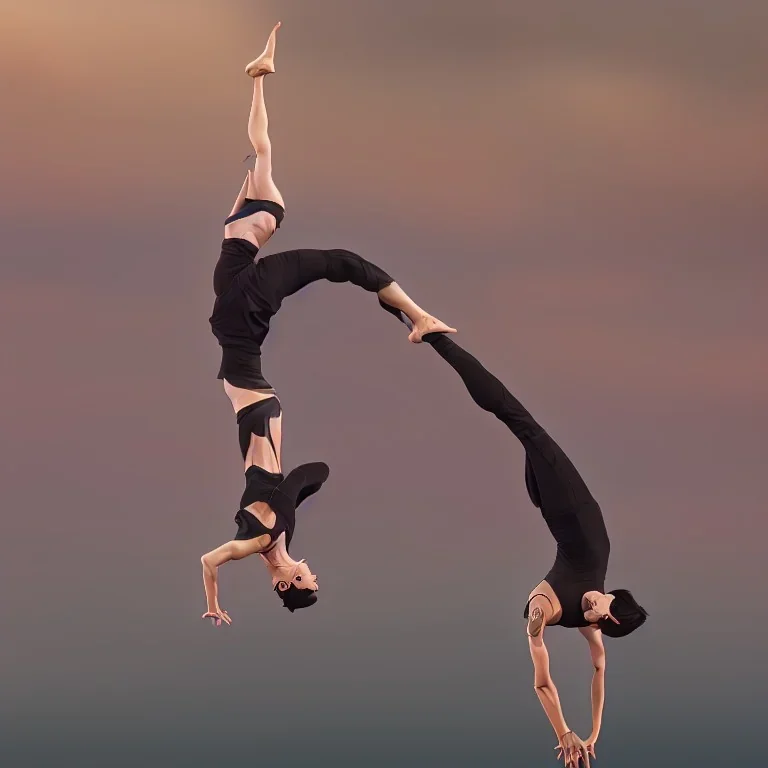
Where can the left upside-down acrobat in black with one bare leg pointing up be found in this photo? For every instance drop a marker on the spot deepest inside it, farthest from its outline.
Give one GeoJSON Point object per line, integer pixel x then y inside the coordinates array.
{"type": "Point", "coordinates": [249, 292]}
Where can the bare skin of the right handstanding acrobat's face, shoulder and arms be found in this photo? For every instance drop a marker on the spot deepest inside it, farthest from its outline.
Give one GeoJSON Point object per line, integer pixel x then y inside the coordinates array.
{"type": "Point", "coordinates": [544, 610]}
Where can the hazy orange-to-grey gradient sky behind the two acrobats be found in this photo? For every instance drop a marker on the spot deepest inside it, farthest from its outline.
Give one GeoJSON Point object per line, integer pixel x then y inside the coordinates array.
{"type": "Point", "coordinates": [581, 191]}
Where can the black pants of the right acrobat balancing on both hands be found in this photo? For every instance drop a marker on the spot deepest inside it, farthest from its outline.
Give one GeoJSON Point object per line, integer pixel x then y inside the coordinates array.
{"type": "Point", "coordinates": [552, 481]}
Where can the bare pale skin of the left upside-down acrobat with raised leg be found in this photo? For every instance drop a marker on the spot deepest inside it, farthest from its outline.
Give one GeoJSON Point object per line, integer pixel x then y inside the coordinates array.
{"type": "Point", "coordinates": [257, 229]}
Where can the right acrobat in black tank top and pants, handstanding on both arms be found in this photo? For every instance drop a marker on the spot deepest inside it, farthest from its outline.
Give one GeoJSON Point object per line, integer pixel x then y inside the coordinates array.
{"type": "Point", "coordinates": [573, 593]}
